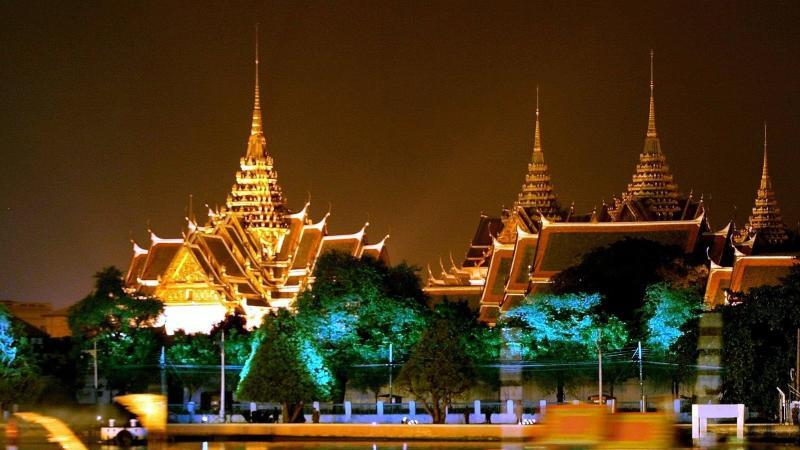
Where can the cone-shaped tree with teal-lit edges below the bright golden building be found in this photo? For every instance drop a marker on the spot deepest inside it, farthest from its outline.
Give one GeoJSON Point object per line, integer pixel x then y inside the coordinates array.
{"type": "Point", "coordinates": [284, 366]}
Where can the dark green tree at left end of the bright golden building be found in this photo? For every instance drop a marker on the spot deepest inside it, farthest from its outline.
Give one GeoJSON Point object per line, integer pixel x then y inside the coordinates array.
{"type": "Point", "coordinates": [122, 327]}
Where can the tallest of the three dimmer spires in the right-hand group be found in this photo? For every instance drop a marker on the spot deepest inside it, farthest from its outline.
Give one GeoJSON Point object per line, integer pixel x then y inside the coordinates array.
{"type": "Point", "coordinates": [652, 183]}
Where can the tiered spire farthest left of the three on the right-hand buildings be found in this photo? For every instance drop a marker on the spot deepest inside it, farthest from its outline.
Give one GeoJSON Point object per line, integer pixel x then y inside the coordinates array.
{"type": "Point", "coordinates": [537, 192]}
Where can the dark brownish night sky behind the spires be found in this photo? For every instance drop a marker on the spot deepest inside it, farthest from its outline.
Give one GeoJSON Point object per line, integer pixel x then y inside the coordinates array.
{"type": "Point", "coordinates": [415, 116]}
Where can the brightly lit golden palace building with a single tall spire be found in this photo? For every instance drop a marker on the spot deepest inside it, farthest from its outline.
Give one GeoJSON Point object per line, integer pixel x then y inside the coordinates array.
{"type": "Point", "coordinates": [252, 255]}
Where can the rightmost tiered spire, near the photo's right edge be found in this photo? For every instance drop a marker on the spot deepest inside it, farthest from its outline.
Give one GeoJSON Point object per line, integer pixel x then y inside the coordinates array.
{"type": "Point", "coordinates": [766, 221]}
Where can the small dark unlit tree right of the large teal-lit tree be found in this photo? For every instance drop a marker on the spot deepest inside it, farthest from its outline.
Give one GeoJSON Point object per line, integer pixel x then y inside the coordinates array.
{"type": "Point", "coordinates": [440, 366]}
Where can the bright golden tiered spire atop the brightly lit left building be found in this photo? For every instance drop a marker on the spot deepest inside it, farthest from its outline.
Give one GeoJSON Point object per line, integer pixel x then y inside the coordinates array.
{"type": "Point", "coordinates": [256, 198]}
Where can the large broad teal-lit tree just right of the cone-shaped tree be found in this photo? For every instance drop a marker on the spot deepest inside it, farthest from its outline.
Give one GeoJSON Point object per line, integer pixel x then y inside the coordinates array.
{"type": "Point", "coordinates": [355, 310]}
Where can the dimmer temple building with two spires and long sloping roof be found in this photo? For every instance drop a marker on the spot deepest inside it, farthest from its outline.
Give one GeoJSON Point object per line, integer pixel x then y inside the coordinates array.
{"type": "Point", "coordinates": [520, 251]}
